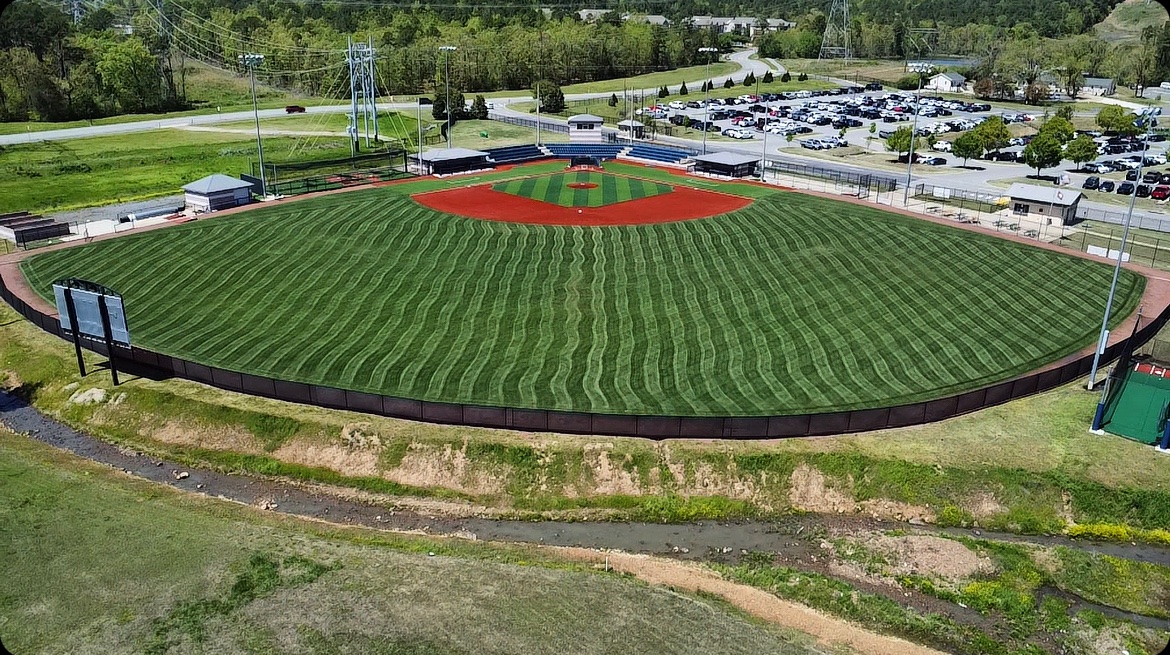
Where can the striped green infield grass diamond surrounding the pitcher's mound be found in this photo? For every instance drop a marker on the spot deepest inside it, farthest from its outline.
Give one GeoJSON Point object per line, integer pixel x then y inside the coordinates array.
{"type": "Point", "coordinates": [609, 189]}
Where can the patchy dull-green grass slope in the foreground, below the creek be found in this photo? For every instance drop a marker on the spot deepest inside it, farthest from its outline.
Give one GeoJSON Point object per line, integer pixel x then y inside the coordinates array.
{"type": "Point", "coordinates": [95, 562]}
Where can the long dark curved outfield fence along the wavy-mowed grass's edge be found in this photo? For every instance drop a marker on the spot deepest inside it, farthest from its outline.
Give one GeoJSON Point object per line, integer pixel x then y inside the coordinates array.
{"type": "Point", "coordinates": [139, 361]}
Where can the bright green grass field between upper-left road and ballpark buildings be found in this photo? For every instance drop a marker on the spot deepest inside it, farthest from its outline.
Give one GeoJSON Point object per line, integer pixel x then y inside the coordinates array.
{"type": "Point", "coordinates": [56, 176]}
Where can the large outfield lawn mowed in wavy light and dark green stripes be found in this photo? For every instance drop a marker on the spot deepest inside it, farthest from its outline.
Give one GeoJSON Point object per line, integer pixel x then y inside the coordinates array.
{"type": "Point", "coordinates": [795, 305]}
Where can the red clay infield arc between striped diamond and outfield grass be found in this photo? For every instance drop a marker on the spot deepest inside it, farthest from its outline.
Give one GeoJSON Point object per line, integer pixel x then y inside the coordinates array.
{"type": "Point", "coordinates": [483, 202]}
